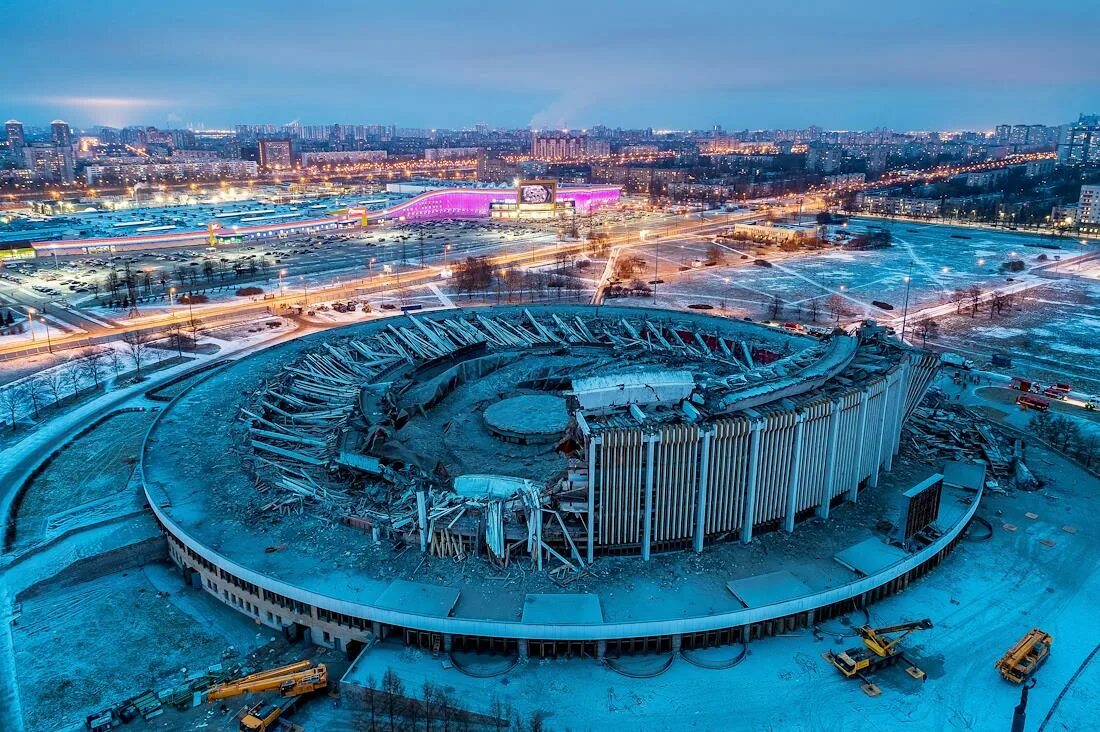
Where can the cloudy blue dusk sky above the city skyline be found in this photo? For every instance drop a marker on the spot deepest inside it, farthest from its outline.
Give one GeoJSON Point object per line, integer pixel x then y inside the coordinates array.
{"type": "Point", "coordinates": [918, 65]}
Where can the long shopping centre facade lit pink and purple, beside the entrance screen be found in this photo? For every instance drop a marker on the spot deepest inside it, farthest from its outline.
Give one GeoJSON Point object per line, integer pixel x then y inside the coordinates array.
{"type": "Point", "coordinates": [432, 206]}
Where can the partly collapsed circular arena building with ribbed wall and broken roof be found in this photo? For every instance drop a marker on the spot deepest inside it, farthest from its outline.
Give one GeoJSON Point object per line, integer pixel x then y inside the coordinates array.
{"type": "Point", "coordinates": [543, 480]}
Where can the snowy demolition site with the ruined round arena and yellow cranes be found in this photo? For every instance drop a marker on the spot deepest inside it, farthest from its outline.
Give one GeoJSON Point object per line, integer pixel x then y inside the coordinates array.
{"type": "Point", "coordinates": [586, 516]}
